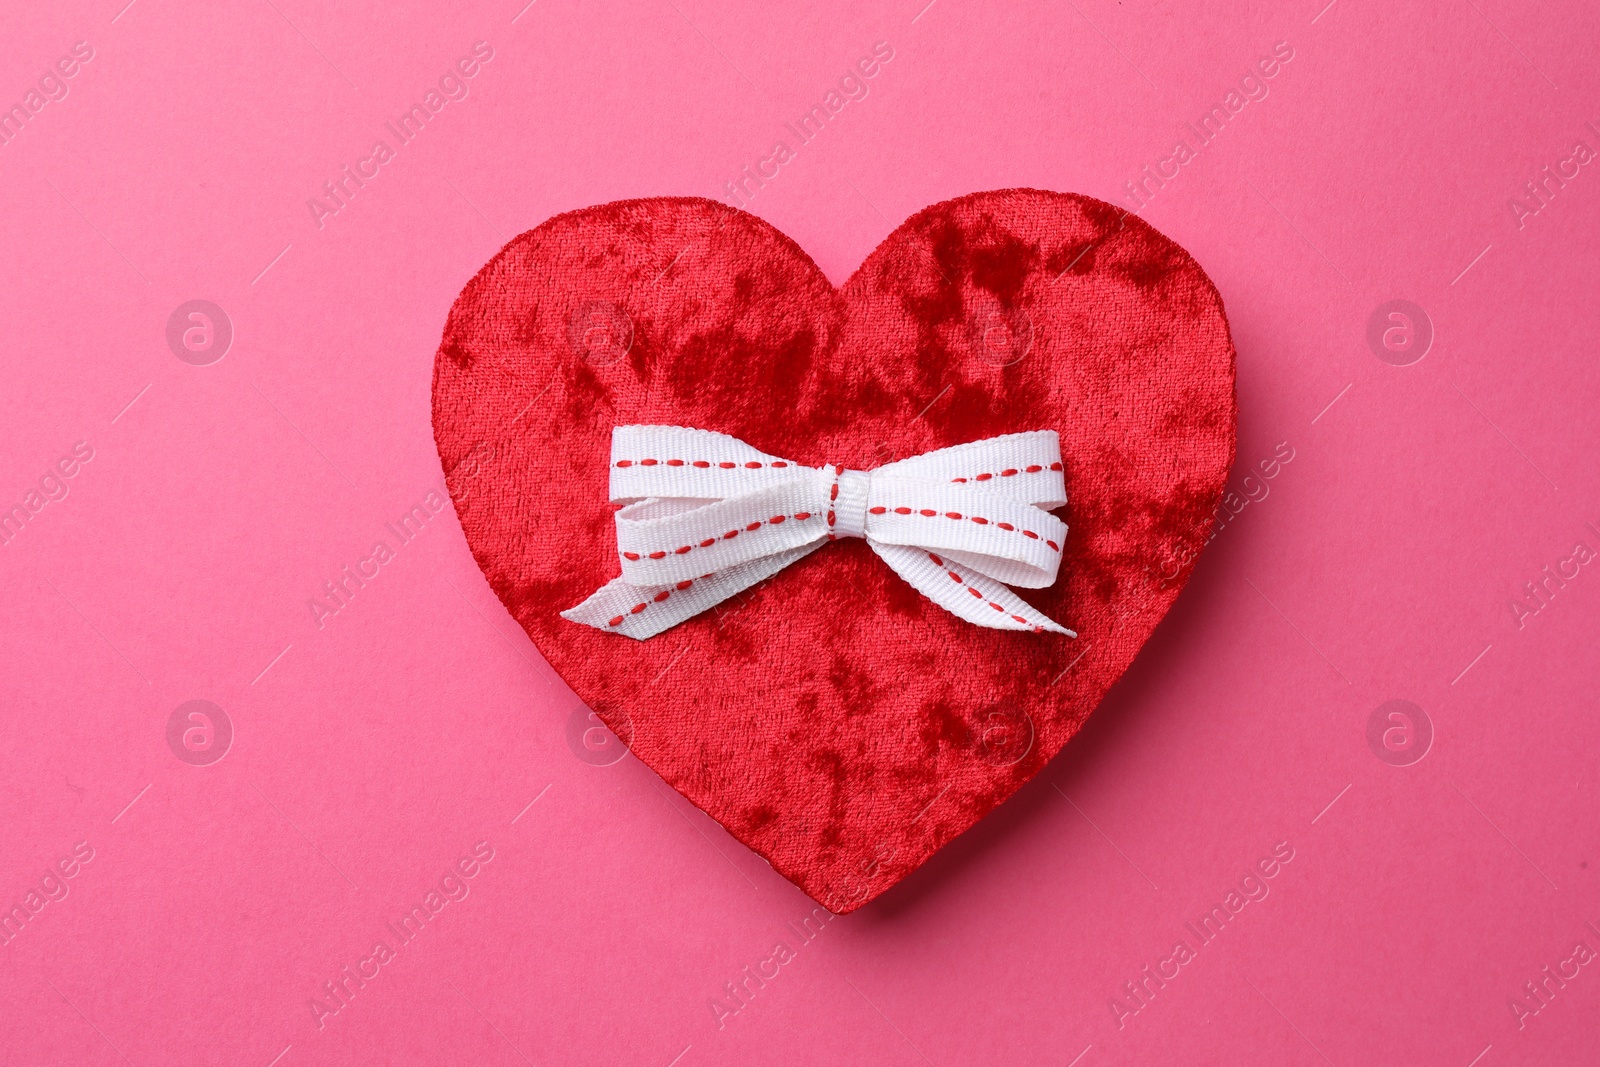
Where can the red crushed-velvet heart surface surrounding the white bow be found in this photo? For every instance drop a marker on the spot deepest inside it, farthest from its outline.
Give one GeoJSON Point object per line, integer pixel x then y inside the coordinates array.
{"type": "Point", "coordinates": [833, 719]}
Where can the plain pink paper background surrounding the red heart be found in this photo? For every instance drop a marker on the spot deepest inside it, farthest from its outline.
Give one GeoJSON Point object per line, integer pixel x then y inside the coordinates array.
{"type": "Point", "coordinates": [372, 753]}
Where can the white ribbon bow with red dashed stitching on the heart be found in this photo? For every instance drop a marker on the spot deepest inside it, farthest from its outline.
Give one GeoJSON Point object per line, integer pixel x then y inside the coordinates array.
{"type": "Point", "coordinates": [706, 518]}
